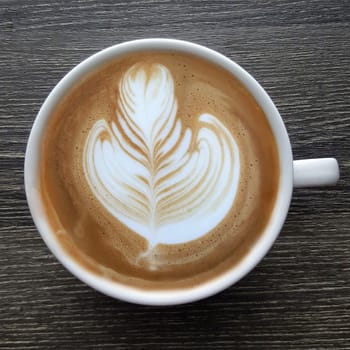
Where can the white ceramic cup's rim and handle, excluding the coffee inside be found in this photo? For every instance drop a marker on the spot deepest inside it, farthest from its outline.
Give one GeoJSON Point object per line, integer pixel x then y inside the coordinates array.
{"type": "Point", "coordinates": [310, 172]}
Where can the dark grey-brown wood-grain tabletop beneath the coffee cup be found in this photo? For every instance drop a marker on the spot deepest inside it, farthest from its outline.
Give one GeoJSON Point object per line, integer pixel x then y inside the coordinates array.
{"type": "Point", "coordinates": [299, 296]}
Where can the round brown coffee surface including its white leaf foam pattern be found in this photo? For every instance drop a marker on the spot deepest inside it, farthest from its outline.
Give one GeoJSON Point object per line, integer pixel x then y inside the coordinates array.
{"type": "Point", "coordinates": [159, 170]}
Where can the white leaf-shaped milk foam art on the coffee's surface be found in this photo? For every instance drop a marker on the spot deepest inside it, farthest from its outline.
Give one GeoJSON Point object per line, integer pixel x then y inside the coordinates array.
{"type": "Point", "coordinates": [167, 183]}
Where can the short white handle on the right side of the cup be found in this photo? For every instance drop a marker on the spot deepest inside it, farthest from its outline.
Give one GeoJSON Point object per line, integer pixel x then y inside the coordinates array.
{"type": "Point", "coordinates": [315, 172]}
